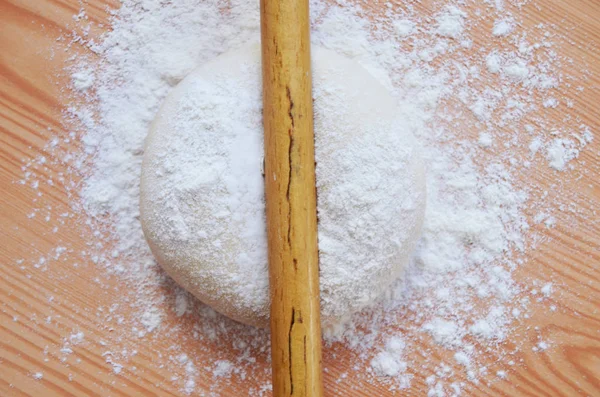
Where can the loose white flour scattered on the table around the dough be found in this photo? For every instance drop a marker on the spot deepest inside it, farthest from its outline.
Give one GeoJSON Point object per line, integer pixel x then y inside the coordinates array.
{"type": "Point", "coordinates": [480, 109]}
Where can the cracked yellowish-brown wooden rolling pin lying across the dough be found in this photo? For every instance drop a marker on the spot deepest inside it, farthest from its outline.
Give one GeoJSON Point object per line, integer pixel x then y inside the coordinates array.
{"type": "Point", "coordinates": [291, 198]}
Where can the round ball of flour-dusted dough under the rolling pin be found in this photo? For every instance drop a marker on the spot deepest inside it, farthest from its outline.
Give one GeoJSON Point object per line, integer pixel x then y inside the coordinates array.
{"type": "Point", "coordinates": [202, 199]}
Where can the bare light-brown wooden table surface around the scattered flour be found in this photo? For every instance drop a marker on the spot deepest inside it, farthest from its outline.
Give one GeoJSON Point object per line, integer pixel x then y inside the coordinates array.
{"type": "Point", "coordinates": [42, 308]}
